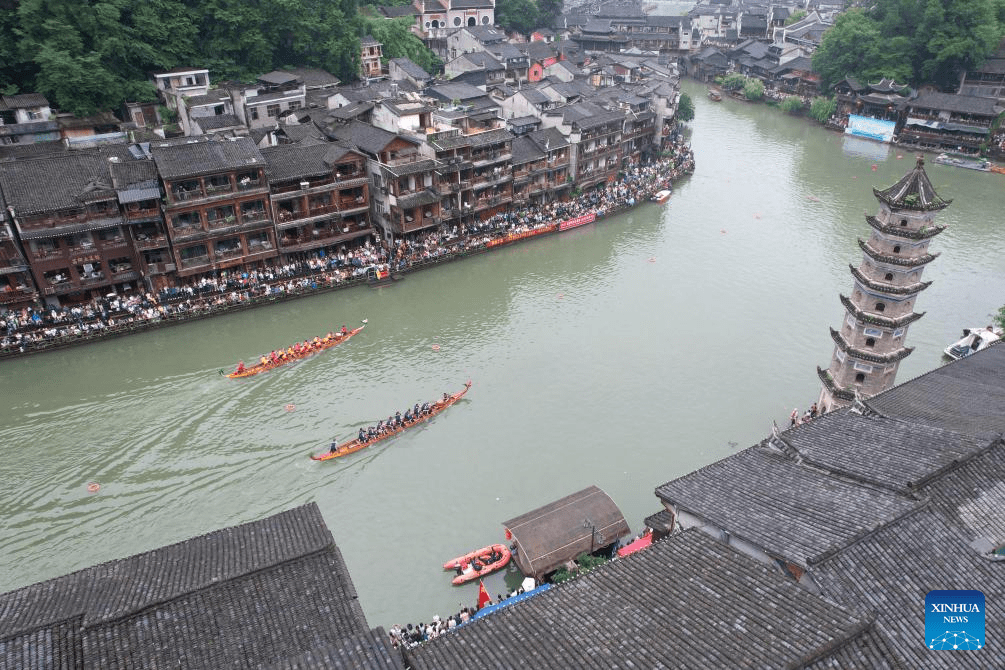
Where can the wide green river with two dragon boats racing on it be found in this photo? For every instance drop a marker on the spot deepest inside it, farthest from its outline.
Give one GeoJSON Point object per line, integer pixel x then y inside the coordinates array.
{"type": "Point", "coordinates": [624, 355]}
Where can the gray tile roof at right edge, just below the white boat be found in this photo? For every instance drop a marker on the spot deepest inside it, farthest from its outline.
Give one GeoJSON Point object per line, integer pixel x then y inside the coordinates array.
{"type": "Point", "coordinates": [966, 396]}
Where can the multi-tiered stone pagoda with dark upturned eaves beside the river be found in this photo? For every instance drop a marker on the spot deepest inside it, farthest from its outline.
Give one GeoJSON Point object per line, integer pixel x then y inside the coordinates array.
{"type": "Point", "coordinates": [870, 345]}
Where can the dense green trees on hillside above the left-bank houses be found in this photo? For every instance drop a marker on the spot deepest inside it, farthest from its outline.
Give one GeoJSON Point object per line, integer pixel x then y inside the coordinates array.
{"type": "Point", "coordinates": [89, 56]}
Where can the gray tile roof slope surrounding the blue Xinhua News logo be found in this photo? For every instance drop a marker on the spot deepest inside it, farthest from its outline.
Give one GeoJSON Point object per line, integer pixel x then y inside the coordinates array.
{"type": "Point", "coordinates": [891, 572]}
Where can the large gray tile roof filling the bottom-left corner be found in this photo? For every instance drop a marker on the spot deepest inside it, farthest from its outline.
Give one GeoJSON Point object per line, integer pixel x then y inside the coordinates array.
{"type": "Point", "coordinates": [248, 595]}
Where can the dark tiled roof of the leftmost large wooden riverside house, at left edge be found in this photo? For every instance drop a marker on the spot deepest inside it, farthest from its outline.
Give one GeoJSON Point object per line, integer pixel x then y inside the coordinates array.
{"type": "Point", "coordinates": [56, 182]}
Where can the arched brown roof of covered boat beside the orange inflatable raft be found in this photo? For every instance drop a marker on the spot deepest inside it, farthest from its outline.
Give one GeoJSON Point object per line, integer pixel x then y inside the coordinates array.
{"type": "Point", "coordinates": [553, 535]}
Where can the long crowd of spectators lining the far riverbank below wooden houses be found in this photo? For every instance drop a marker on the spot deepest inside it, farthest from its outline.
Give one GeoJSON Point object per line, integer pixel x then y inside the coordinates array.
{"type": "Point", "coordinates": [42, 328]}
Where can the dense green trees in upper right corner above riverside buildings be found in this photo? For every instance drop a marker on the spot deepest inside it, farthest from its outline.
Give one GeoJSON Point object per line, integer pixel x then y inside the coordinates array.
{"type": "Point", "coordinates": [913, 42]}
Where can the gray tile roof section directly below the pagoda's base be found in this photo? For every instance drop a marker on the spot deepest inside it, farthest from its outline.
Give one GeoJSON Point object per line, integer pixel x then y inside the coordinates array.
{"type": "Point", "coordinates": [887, 453]}
